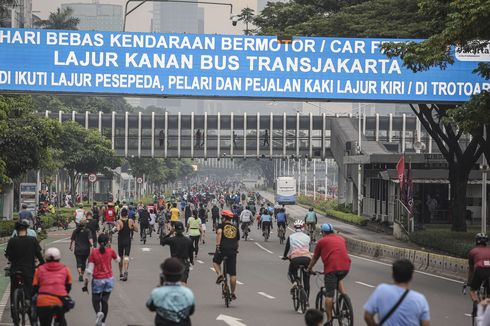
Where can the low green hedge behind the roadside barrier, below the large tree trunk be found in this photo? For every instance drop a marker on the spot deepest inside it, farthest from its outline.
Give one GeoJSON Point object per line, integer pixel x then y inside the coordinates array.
{"type": "Point", "coordinates": [445, 241]}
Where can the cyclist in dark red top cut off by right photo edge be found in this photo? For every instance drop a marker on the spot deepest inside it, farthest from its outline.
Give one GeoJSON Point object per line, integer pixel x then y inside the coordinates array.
{"type": "Point", "coordinates": [479, 265]}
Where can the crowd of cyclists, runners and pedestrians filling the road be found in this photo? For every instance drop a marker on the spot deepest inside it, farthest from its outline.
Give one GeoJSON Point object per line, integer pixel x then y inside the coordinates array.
{"type": "Point", "coordinates": [181, 219]}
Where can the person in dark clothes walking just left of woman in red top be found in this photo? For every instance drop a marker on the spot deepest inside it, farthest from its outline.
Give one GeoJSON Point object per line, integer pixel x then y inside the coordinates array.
{"type": "Point", "coordinates": [82, 238]}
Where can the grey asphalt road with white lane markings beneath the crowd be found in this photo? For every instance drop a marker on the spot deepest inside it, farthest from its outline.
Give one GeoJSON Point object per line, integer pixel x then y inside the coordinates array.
{"type": "Point", "coordinates": [263, 292]}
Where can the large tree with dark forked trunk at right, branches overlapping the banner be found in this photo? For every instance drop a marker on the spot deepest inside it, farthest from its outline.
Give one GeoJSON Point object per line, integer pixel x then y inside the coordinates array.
{"type": "Point", "coordinates": [463, 23]}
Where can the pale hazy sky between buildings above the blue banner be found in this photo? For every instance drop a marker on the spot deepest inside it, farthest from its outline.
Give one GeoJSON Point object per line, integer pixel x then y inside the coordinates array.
{"type": "Point", "coordinates": [216, 17]}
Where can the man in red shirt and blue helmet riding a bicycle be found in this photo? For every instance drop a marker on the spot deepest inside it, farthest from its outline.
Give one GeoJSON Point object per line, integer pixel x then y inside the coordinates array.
{"type": "Point", "coordinates": [336, 264]}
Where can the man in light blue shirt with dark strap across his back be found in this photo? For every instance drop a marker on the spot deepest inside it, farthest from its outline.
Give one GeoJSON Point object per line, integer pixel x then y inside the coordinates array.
{"type": "Point", "coordinates": [395, 304]}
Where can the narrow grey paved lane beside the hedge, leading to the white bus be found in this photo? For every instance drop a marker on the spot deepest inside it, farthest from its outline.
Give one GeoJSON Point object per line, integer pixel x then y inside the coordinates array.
{"type": "Point", "coordinates": [353, 231]}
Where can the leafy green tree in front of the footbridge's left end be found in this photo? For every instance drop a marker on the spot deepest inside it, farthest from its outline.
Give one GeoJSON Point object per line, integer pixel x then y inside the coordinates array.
{"type": "Point", "coordinates": [85, 151]}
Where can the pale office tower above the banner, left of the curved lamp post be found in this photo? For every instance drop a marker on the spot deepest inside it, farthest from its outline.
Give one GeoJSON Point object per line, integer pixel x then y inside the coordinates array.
{"type": "Point", "coordinates": [96, 16]}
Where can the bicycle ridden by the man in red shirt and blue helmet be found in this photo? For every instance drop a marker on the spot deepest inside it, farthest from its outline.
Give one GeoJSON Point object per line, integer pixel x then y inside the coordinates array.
{"type": "Point", "coordinates": [342, 305]}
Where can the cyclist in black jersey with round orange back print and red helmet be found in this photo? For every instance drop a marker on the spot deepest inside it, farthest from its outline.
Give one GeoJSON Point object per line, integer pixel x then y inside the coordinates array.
{"type": "Point", "coordinates": [227, 237]}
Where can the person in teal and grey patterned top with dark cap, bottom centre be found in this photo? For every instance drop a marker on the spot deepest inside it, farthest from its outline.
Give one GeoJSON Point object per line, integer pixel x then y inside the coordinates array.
{"type": "Point", "coordinates": [172, 302]}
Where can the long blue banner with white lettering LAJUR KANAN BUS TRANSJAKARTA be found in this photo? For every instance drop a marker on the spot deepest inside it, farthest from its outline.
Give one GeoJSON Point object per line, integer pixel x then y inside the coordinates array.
{"type": "Point", "coordinates": [343, 69]}
